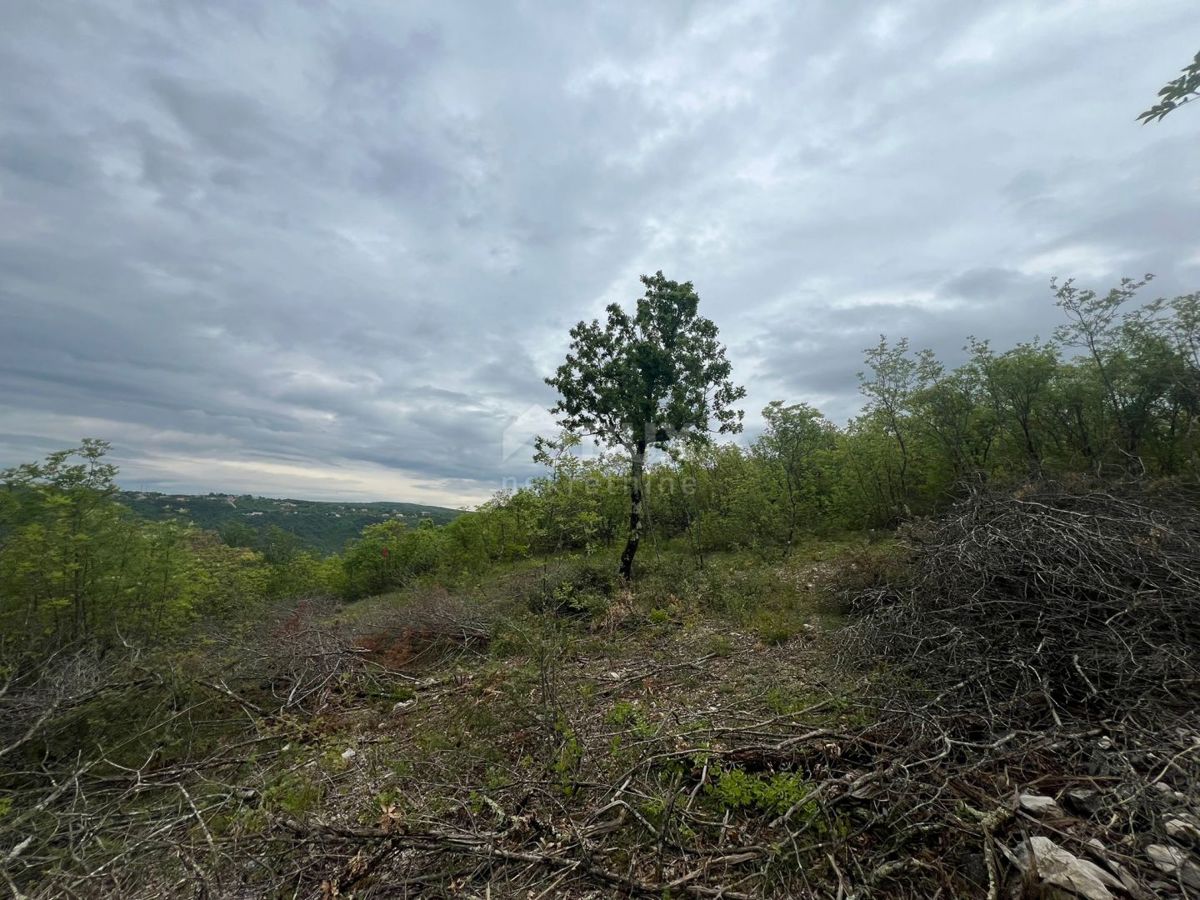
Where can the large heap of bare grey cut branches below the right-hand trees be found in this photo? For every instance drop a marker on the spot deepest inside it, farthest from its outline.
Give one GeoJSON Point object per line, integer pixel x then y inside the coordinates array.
{"type": "Point", "coordinates": [1048, 599]}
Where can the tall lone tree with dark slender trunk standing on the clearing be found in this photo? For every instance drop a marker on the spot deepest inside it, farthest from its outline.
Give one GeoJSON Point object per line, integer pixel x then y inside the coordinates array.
{"type": "Point", "coordinates": [643, 381]}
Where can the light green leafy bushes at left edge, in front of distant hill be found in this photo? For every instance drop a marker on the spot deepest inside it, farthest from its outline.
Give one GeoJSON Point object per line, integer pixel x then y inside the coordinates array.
{"type": "Point", "coordinates": [77, 567]}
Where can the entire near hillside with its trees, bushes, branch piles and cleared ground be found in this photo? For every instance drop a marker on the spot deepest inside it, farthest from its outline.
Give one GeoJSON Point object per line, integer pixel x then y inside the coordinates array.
{"type": "Point", "coordinates": [946, 650]}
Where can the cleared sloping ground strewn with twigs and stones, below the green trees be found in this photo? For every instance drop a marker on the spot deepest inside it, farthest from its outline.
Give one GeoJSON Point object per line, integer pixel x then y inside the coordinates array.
{"type": "Point", "coordinates": [730, 731]}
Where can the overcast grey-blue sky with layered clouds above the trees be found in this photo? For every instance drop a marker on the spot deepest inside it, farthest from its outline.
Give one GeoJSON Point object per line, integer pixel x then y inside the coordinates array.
{"type": "Point", "coordinates": [331, 250]}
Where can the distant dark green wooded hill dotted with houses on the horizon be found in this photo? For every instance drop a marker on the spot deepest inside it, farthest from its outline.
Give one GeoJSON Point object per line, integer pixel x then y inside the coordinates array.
{"type": "Point", "coordinates": [319, 525]}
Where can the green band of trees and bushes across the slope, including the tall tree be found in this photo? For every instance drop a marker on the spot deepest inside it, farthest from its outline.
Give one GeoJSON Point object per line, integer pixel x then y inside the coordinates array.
{"type": "Point", "coordinates": [1114, 394]}
